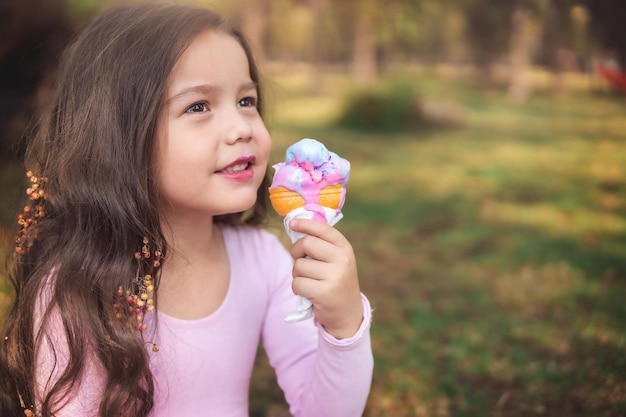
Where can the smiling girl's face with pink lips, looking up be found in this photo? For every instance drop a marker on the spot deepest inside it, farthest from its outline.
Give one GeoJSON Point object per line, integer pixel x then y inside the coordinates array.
{"type": "Point", "coordinates": [213, 147]}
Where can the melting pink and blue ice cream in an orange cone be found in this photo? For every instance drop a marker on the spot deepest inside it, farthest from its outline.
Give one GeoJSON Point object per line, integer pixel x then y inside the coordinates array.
{"type": "Point", "coordinates": [311, 177]}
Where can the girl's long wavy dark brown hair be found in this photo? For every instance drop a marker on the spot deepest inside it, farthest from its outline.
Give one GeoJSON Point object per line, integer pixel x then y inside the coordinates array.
{"type": "Point", "coordinates": [96, 150]}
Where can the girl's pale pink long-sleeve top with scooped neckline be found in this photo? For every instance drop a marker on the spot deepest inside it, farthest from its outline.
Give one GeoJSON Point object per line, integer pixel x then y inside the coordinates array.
{"type": "Point", "coordinates": [203, 367]}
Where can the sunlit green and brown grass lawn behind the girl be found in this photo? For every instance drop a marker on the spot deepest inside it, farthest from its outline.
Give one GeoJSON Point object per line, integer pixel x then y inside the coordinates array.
{"type": "Point", "coordinates": [493, 253]}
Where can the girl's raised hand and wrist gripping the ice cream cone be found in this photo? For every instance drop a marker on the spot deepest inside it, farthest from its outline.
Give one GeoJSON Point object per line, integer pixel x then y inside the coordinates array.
{"type": "Point", "coordinates": [325, 272]}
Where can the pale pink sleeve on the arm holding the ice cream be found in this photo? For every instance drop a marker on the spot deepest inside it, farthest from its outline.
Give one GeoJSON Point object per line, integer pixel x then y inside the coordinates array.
{"type": "Point", "coordinates": [319, 374]}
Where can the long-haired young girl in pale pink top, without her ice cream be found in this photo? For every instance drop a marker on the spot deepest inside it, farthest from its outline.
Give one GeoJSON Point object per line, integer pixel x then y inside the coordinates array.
{"type": "Point", "coordinates": [143, 280]}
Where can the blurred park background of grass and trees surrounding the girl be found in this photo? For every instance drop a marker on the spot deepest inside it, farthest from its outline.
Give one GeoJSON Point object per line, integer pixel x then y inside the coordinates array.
{"type": "Point", "coordinates": [487, 198]}
